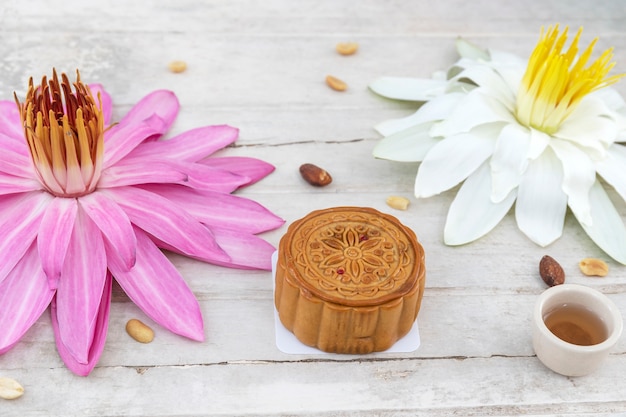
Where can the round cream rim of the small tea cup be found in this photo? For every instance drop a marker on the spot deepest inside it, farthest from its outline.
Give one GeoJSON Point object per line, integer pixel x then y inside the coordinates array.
{"type": "Point", "coordinates": [614, 332]}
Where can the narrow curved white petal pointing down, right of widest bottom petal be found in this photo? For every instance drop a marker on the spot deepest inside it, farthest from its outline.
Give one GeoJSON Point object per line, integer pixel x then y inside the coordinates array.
{"type": "Point", "coordinates": [579, 176]}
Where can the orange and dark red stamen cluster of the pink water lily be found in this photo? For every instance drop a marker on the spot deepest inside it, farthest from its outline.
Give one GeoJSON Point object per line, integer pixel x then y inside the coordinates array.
{"type": "Point", "coordinates": [64, 130]}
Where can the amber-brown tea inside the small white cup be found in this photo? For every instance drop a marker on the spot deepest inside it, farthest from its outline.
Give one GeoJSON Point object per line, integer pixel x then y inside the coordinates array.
{"type": "Point", "coordinates": [576, 324]}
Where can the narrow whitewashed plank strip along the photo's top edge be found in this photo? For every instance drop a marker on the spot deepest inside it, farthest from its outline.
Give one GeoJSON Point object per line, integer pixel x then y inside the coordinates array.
{"type": "Point", "coordinates": [309, 17]}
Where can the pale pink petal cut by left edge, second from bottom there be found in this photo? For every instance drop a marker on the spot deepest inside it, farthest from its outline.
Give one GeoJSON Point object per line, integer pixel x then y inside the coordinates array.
{"type": "Point", "coordinates": [21, 216]}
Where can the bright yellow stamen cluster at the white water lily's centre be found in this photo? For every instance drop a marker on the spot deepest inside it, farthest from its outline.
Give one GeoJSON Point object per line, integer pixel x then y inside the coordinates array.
{"type": "Point", "coordinates": [555, 82]}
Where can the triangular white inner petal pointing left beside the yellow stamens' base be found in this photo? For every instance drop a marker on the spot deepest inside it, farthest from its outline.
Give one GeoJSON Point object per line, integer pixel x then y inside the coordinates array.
{"type": "Point", "coordinates": [477, 108]}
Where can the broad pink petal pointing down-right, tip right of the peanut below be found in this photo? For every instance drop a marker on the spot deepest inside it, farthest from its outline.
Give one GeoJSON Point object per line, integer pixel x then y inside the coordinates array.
{"type": "Point", "coordinates": [160, 291]}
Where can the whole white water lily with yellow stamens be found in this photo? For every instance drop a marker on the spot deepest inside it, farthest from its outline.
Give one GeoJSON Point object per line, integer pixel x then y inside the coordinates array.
{"type": "Point", "coordinates": [537, 134]}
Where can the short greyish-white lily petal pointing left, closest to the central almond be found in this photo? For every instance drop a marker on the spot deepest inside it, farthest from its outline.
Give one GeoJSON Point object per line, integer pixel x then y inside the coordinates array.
{"type": "Point", "coordinates": [408, 145]}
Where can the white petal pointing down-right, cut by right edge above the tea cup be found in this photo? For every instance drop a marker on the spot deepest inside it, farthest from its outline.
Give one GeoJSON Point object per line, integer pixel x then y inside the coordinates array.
{"type": "Point", "coordinates": [607, 231]}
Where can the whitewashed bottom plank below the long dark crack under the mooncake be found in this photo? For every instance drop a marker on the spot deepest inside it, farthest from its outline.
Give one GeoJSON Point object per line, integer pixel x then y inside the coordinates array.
{"type": "Point", "coordinates": [385, 387]}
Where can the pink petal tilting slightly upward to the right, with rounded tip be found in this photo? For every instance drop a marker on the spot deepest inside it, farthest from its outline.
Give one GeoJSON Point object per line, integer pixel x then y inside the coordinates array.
{"type": "Point", "coordinates": [192, 145]}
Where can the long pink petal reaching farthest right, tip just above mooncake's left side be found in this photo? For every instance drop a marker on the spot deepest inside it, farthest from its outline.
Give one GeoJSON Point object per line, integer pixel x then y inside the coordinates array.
{"type": "Point", "coordinates": [220, 209]}
